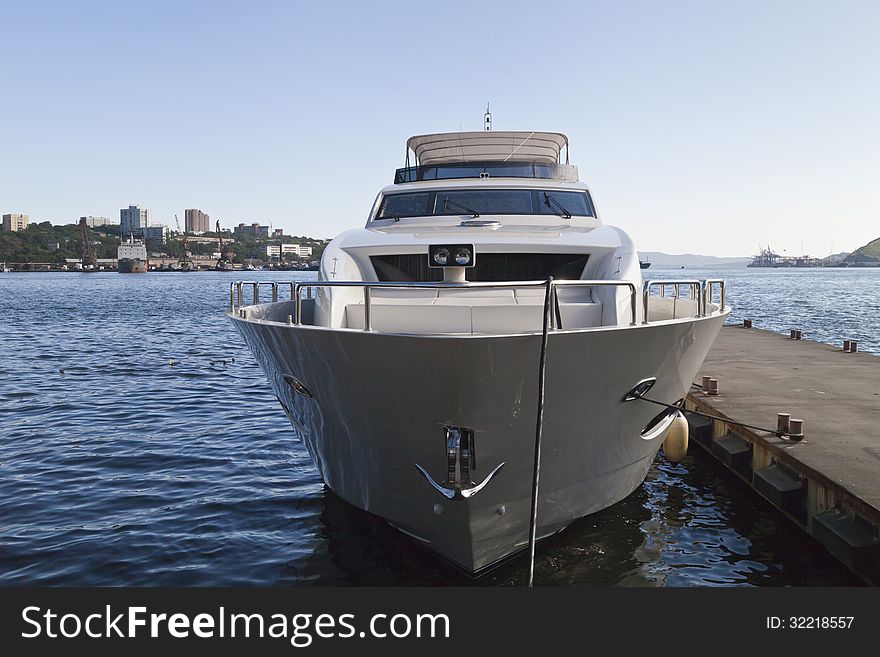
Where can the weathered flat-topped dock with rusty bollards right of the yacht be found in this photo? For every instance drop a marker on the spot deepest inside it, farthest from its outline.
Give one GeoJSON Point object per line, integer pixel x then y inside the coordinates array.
{"type": "Point", "coordinates": [829, 482]}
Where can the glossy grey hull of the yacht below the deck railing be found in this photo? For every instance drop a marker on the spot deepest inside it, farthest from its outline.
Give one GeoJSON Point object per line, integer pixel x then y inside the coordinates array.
{"type": "Point", "coordinates": [374, 407]}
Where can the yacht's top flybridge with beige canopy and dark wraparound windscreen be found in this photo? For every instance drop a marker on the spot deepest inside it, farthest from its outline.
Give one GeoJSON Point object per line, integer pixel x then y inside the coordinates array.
{"type": "Point", "coordinates": [487, 154]}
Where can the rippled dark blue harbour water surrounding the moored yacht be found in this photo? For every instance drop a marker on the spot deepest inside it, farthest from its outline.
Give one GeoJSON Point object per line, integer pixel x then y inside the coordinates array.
{"type": "Point", "coordinates": [118, 468]}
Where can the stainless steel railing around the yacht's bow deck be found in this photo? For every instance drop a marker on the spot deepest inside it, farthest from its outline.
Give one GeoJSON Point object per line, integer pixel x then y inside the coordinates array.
{"type": "Point", "coordinates": [700, 291]}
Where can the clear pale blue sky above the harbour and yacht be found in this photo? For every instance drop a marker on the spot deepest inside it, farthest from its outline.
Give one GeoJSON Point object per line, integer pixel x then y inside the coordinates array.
{"type": "Point", "coordinates": [705, 127]}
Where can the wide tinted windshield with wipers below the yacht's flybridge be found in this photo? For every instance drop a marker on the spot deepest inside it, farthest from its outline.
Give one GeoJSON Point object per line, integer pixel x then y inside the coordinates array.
{"type": "Point", "coordinates": [486, 201]}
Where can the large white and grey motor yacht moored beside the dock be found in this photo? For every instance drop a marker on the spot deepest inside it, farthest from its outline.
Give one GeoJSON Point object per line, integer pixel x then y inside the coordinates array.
{"type": "Point", "coordinates": [483, 287]}
